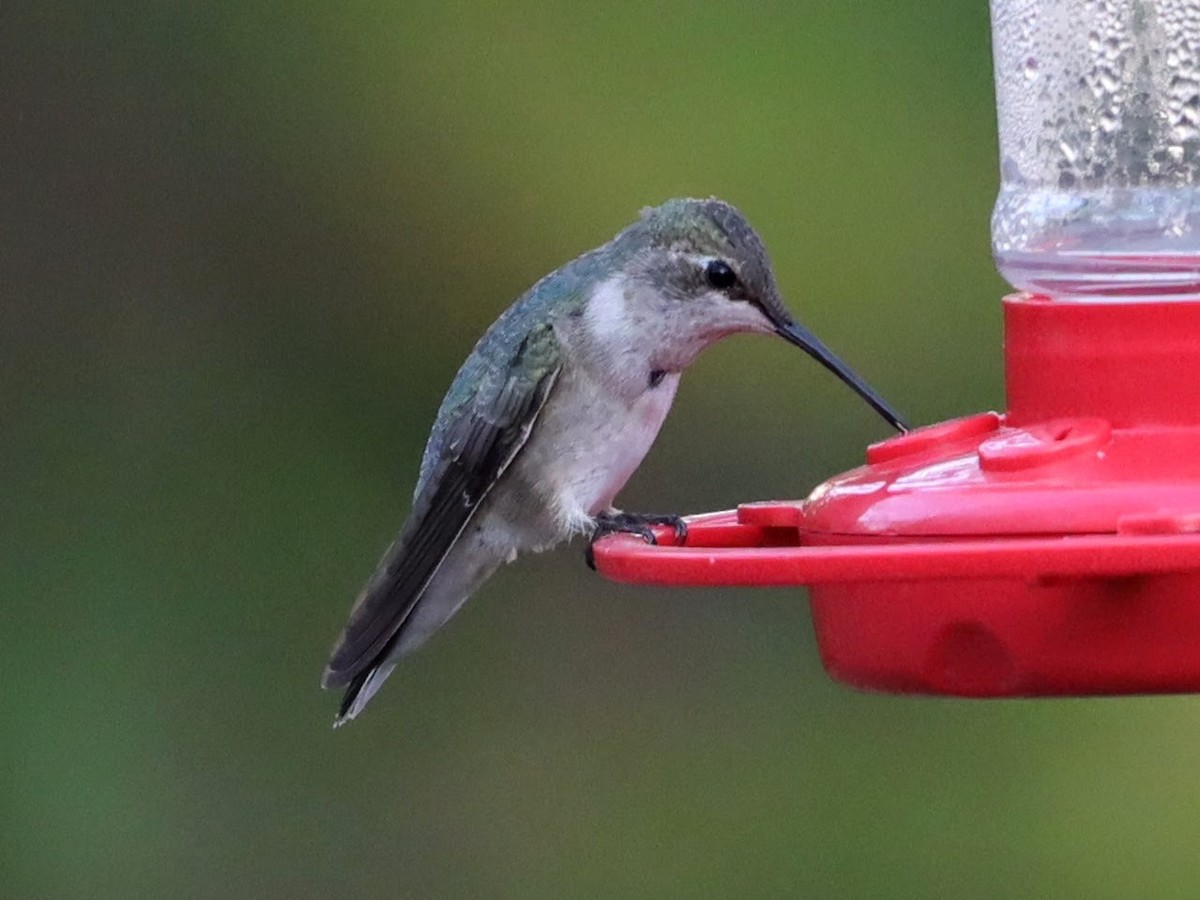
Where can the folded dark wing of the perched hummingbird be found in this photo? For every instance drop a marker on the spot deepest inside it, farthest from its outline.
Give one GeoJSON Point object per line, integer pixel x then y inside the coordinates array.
{"type": "Point", "coordinates": [485, 421]}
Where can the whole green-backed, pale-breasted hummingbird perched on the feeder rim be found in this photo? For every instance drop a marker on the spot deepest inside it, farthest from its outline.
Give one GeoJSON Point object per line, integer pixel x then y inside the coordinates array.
{"type": "Point", "coordinates": [553, 413]}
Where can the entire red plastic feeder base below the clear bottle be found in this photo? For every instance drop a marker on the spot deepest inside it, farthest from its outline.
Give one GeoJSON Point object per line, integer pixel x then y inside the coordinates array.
{"type": "Point", "coordinates": [1051, 551]}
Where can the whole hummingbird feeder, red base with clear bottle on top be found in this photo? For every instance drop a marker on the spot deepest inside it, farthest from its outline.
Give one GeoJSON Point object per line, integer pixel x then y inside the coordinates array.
{"type": "Point", "coordinates": [1053, 549]}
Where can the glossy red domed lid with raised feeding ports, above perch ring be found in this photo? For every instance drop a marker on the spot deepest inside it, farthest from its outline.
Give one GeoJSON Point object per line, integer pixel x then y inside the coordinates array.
{"type": "Point", "coordinates": [1067, 476]}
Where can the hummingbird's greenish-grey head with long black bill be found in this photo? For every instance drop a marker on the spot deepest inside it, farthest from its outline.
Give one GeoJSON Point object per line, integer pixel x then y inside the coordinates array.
{"type": "Point", "coordinates": [709, 267]}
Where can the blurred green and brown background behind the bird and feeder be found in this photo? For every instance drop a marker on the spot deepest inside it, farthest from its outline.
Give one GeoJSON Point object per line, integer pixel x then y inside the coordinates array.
{"type": "Point", "coordinates": [244, 248]}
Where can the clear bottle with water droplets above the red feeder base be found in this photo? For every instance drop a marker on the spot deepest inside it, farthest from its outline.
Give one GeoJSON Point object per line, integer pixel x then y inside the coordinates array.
{"type": "Point", "coordinates": [1100, 143]}
